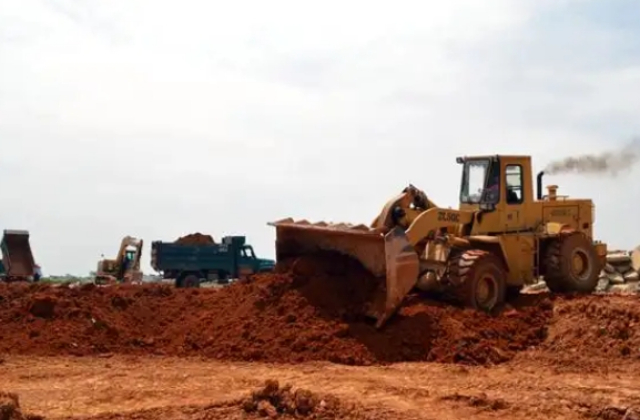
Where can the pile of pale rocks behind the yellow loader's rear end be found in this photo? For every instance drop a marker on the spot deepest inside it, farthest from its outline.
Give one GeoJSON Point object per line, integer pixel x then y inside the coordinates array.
{"type": "Point", "coordinates": [622, 272]}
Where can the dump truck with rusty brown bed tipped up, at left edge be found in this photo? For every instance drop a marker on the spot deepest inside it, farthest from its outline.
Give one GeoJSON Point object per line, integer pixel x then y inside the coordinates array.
{"type": "Point", "coordinates": [18, 263]}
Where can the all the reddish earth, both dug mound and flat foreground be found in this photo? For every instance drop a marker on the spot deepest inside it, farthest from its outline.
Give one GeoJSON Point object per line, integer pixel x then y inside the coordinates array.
{"type": "Point", "coordinates": [156, 352]}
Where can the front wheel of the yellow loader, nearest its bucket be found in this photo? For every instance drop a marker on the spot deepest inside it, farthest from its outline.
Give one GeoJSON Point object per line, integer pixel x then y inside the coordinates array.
{"type": "Point", "coordinates": [478, 279]}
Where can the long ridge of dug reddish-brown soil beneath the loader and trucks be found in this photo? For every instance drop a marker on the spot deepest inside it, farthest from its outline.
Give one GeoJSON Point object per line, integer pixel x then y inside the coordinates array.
{"type": "Point", "coordinates": [302, 313]}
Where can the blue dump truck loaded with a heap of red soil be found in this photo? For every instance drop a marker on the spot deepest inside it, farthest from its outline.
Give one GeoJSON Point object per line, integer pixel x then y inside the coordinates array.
{"type": "Point", "coordinates": [192, 264]}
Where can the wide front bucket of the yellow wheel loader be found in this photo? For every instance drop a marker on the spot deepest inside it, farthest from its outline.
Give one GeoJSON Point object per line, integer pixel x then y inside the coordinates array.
{"type": "Point", "coordinates": [390, 258]}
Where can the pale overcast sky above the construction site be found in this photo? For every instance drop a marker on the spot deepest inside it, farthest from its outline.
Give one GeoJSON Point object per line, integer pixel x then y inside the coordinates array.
{"type": "Point", "coordinates": [161, 118]}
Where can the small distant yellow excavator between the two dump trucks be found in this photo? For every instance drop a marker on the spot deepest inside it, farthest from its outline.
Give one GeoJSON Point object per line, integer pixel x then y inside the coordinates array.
{"type": "Point", "coordinates": [125, 268]}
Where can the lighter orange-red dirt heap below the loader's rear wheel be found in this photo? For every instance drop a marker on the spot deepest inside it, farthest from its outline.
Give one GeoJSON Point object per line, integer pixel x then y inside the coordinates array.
{"type": "Point", "coordinates": [595, 327]}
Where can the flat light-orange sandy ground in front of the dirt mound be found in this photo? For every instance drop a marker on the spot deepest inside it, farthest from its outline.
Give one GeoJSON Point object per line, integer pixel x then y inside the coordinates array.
{"type": "Point", "coordinates": [62, 387]}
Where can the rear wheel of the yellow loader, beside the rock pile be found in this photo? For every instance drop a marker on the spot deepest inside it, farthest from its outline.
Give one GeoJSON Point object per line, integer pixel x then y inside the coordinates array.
{"type": "Point", "coordinates": [571, 264]}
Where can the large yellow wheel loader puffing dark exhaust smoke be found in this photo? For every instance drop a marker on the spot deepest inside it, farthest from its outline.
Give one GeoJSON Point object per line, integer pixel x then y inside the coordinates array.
{"type": "Point", "coordinates": [501, 238]}
